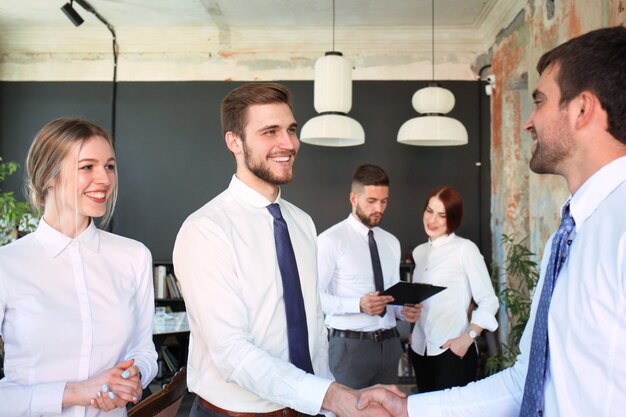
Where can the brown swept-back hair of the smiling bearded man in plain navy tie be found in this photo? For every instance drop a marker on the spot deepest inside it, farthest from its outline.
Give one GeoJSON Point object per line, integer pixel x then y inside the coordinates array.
{"type": "Point", "coordinates": [235, 104]}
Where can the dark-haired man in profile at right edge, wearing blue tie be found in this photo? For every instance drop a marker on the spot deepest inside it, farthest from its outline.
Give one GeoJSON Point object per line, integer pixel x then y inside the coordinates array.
{"type": "Point", "coordinates": [573, 356]}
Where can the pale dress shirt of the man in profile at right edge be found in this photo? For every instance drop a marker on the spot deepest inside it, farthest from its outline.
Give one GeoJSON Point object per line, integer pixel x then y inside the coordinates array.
{"type": "Point", "coordinates": [586, 325]}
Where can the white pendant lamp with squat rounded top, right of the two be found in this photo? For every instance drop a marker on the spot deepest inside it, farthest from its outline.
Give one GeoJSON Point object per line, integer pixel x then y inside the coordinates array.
{"type": "Point", "coordinates": [434, 101]}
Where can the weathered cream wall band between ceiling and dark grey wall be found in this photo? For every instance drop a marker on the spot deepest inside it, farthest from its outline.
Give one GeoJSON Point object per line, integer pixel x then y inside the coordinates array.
{"type": "Point", "coordinates": [194, 54]}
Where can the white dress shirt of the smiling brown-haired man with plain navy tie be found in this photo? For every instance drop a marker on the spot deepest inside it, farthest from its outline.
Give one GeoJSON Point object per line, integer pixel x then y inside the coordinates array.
{"type": "Point", "coordinates": [225, 259]}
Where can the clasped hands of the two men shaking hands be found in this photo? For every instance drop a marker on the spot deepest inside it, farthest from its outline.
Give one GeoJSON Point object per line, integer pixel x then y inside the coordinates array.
{"type": "Point", "coordinates": [376, 401]}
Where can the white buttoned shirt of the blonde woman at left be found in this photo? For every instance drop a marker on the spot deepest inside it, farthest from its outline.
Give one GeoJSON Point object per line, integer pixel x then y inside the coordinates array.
{"type": "Point", "coordinates": [69, 310]}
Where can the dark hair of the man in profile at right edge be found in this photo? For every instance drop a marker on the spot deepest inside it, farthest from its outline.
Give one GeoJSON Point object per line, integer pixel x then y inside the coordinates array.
{"type": "Point", "coordinates": [596, 62]}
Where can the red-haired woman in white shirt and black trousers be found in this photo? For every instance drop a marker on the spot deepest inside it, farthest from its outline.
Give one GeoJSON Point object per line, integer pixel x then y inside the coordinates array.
{"type": "Point", "coordinates": [443, 348]}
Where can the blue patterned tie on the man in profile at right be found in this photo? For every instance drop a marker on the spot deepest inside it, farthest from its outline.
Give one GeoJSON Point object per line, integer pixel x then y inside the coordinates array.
{"type": "Point", "coordinates": [532, 402]}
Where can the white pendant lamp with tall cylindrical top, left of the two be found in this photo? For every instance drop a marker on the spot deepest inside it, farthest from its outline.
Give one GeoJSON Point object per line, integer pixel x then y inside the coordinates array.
{"type": "Point", "coordinates": [332, 100]}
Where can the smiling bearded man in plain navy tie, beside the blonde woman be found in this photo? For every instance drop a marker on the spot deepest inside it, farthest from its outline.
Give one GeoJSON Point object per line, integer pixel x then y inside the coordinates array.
{"type": "Point", "coordinates": [247, 266]}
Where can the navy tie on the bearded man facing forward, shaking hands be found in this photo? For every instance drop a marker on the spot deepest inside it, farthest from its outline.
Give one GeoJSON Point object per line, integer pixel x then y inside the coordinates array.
{"type": "Point", "coordinates": [297, 332]}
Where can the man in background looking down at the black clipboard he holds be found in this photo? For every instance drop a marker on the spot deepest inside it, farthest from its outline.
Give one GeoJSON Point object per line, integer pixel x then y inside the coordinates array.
{"type": "Point", "coordinates": [357, 260]}
